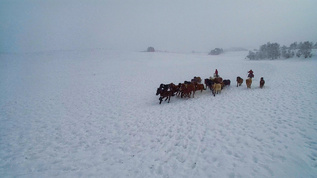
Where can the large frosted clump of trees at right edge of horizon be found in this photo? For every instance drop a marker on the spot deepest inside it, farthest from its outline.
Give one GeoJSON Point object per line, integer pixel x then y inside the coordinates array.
{"type": "Point", "coordinates": [275, 51]}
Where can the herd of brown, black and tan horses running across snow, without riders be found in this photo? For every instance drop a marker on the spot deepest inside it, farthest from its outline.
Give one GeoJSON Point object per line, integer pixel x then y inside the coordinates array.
{"type": "Point", "coordinates": [188, 88]}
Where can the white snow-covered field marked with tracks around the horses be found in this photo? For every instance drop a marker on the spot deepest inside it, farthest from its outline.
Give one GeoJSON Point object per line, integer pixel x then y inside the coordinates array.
{"type": "Point", "coordinates": [94, 113]}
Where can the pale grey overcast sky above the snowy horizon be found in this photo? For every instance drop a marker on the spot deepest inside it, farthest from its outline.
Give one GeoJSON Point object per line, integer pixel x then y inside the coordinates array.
{"type": "Point", "coordinates": [172, 25]}
